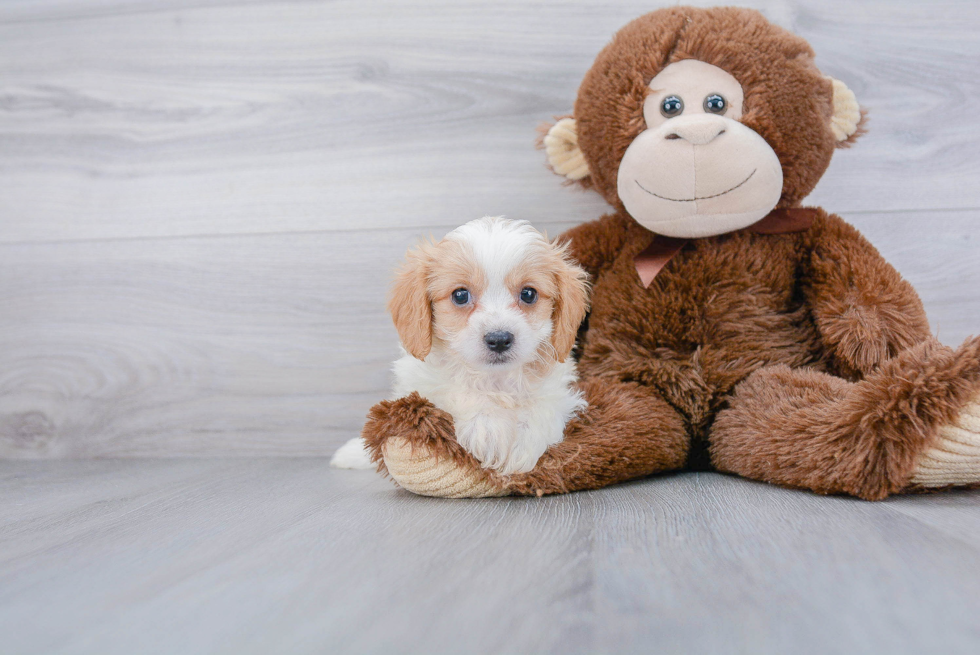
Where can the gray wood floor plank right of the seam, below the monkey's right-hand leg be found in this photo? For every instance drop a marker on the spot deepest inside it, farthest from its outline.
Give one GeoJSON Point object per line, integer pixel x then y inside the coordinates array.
{"type": "Point", "coordinates": [705, 563]}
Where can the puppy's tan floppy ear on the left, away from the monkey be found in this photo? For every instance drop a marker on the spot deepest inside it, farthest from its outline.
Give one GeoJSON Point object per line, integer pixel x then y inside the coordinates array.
{"type": "Point", "coordinates": [410, 306]}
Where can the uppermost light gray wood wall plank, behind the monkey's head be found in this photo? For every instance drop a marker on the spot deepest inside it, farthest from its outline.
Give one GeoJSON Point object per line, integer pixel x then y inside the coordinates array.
{"type": "Point", "coordinates": [121, 119]}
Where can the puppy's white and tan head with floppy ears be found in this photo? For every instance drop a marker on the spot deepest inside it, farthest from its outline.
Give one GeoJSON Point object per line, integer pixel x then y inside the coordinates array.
{"type": "Point", "coordinates": [495, 292]}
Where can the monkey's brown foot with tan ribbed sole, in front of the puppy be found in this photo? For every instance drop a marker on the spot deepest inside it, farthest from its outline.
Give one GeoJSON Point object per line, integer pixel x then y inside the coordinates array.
{"type": "Point", "coordinates": [415, 443]}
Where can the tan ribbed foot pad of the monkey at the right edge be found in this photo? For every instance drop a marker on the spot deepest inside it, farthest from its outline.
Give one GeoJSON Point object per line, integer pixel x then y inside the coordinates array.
{"type": "Point", "coordinates": [955, 457]}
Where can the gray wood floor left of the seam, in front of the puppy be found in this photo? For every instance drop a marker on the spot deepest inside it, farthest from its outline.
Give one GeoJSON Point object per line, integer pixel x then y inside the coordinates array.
{"type": "Point", "coordinates": [261, 554]}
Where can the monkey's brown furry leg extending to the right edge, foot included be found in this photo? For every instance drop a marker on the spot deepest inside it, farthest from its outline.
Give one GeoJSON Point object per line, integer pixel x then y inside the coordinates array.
{"type": "Point", "coordinates": [913, 423]}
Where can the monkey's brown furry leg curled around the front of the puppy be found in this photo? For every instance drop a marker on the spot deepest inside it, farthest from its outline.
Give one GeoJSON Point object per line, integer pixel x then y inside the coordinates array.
{"type": "Point", "coordinates": [627, 431]}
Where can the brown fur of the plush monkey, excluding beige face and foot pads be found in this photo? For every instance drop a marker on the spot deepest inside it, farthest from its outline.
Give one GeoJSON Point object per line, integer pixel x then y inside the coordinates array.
{"type": "Point", "coordinates": [800, 359]}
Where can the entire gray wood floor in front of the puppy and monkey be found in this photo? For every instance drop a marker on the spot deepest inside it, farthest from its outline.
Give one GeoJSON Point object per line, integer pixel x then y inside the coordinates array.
{"type": "Point", "coordinates": [269, 555]}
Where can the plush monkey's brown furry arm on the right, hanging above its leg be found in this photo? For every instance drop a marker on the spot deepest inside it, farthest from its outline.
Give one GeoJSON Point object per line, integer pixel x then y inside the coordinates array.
{"type": "Point", "coordinates": [863, 308]}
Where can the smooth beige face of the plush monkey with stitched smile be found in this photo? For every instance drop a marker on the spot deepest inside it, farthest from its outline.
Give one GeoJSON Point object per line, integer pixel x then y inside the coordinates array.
{"type": "Point", "coordinates": [695, 170]}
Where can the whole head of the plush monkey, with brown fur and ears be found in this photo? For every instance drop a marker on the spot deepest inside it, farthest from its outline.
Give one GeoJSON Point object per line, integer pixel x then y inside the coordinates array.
{"type": "Point", "coordinates": [697, 122]}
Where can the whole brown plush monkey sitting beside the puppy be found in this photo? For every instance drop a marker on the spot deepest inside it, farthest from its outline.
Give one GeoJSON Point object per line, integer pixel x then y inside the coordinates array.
{"type": "Point", "coordinates": [731, 329]}
